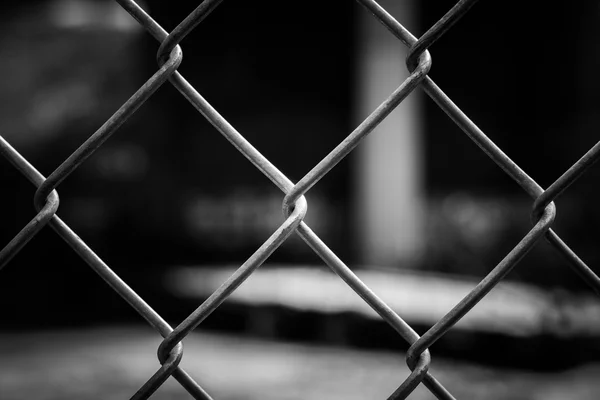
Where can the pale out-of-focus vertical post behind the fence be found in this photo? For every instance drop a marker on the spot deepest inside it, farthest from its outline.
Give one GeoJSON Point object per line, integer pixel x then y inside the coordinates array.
{"type": "Point", "coordinates": [389, 172]}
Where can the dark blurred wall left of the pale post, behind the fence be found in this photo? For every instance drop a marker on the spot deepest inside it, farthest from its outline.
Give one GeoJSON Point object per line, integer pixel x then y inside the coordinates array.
{"type": "Point", "coordinates": [167, 189]}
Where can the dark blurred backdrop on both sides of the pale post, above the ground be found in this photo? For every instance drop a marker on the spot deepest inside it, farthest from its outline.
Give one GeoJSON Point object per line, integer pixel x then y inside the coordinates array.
{"type": "Point", "coordinates": [283, 75]}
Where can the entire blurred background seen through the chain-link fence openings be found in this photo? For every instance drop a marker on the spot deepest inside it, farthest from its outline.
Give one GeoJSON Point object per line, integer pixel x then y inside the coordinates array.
{"type": "Point", "coordinates": [417, 210]}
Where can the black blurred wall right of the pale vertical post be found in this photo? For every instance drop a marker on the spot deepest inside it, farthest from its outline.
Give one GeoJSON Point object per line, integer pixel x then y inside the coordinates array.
{"type": "Point", "coordinates": [528, 79]}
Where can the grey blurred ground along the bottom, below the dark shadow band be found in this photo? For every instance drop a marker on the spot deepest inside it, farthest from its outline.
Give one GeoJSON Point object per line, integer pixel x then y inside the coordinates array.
{"type": "Point", "coordinates": [113, 362]}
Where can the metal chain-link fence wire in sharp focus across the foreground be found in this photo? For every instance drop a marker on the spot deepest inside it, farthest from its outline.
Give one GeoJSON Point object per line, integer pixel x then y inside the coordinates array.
{"type": "Point", "coordinates": [295, 207]}
